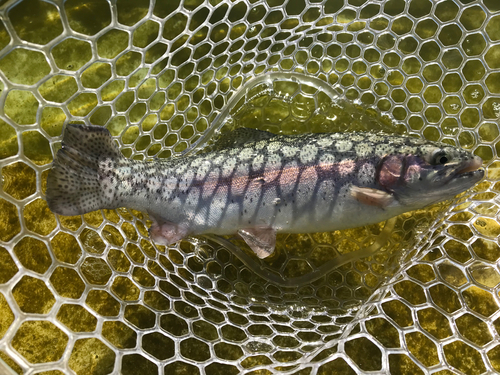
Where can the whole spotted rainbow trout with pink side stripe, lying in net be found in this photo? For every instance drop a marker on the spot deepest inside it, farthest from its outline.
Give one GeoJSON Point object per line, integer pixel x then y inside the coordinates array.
{"type": "Point", "coordinates": [256, 184]}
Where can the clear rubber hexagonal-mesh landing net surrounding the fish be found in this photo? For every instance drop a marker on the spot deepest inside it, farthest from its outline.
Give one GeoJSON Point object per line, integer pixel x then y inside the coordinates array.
{"type": "Point", "coordinates": [92, 294]}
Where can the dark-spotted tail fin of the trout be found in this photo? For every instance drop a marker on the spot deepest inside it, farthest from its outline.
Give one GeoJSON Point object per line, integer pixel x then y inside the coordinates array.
{"type": "Point", "coordinates": [73, 186]}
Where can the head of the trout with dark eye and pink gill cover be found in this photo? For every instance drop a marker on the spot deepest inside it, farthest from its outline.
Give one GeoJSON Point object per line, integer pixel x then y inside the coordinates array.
{"type": "Point", "coordinates": [433, 173]}
